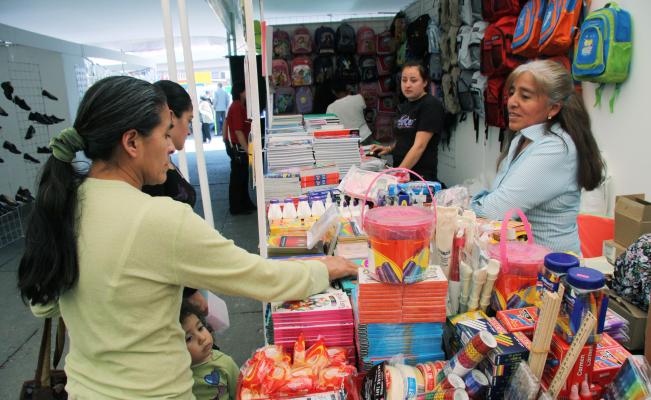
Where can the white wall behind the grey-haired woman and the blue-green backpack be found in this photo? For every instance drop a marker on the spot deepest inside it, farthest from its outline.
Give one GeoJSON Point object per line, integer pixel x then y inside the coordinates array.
{"type": "Point", "coordinates": [624, 136]}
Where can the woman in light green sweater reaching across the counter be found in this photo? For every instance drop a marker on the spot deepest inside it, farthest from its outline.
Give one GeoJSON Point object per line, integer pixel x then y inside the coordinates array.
{"type": "Point", "coordinates": [113, 260]}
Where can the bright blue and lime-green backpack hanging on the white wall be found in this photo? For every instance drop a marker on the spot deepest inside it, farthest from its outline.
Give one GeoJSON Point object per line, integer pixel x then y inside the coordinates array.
{"type": "Point", "coordinates": [603, 52]}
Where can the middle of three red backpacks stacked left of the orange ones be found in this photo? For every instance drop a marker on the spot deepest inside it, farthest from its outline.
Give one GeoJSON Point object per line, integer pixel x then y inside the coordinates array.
{"type": "Point", "coordinates": [496, 55]}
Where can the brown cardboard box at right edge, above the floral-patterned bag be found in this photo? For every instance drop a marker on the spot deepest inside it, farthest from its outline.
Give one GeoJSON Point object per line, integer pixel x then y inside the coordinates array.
{"type": "Point", "coordinates": [632, 218]}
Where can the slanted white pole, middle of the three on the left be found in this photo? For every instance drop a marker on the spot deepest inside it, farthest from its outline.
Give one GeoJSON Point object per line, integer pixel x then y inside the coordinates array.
{"type": "Point", "coordinates": [196, 124]}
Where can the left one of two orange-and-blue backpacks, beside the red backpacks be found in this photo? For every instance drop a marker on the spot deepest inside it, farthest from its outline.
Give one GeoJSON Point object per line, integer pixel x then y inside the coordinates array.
{"type": "Point", "coordinates": [527, 31]}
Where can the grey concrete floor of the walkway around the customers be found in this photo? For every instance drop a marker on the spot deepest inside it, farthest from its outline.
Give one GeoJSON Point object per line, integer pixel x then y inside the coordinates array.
{"type": "Point", "coordinates": [20, 332]}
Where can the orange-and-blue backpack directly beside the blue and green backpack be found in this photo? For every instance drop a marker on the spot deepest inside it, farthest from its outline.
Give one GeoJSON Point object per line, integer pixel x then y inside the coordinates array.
{"type": "Point", "coordinates": [559, 26]}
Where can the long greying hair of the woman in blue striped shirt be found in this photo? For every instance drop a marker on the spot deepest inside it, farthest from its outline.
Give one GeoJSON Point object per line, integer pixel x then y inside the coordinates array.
{"type": "Point", "coordinates": [554, 81]}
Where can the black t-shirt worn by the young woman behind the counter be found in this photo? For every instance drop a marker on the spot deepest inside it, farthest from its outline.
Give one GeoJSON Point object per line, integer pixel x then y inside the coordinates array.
{"type": "Point", "coordinates": [425, 114]}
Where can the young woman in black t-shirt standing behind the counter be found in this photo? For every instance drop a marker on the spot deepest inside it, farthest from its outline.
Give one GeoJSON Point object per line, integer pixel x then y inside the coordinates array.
{"type": "Point", "coordinates": [418, 126]}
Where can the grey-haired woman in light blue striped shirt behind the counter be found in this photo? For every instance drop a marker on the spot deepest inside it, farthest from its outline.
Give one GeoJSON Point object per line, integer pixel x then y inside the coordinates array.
{"type": "Point", "coordinates": [550, 156]}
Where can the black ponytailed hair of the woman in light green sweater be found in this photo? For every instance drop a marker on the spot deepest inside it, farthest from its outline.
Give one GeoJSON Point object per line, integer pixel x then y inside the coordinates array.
{"type": "Point", "coordinates": [112, 106]}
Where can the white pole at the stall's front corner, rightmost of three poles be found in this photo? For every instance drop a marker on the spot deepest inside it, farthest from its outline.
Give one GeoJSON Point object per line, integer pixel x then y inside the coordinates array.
{"type": "Point", "coordinates": [252, 99]}
